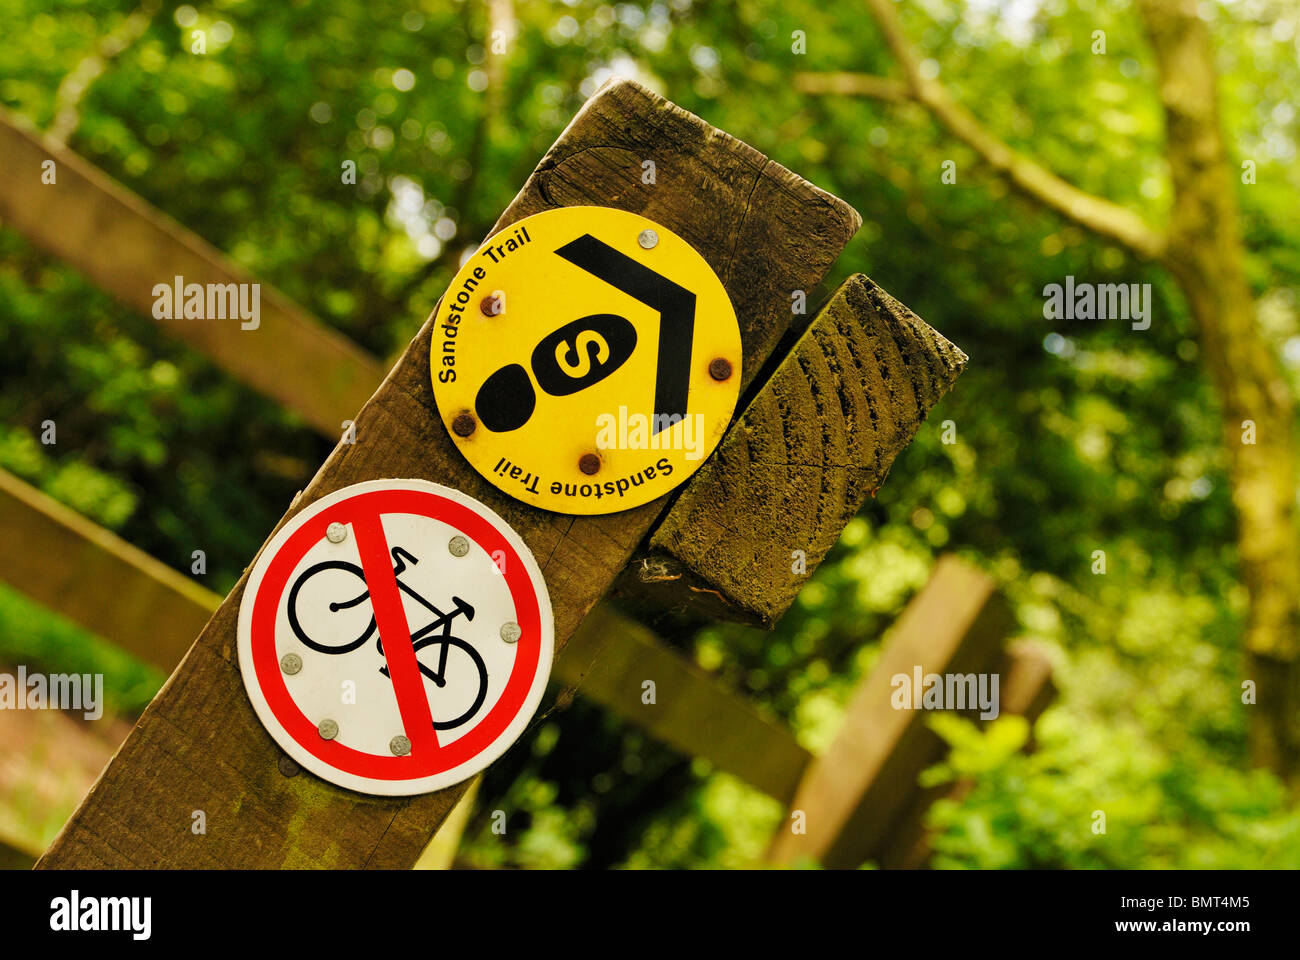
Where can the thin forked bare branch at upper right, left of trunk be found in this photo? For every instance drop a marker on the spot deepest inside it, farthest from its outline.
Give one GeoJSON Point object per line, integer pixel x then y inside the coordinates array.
{"type": "Point", "coordinates": [1102, 217]}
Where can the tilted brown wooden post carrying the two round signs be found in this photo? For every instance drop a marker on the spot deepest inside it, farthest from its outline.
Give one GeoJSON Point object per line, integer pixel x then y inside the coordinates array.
{"type": "Point", "coordinates": [200, 745]}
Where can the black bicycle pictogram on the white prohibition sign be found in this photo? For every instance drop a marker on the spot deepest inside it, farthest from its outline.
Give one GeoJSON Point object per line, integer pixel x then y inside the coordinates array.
{"type": "Point", "coordinates": [436, 634]}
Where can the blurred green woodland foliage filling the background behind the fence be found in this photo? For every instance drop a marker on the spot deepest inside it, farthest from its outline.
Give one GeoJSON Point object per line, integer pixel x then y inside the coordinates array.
{"type": "Point", "coordinates": [1073, 436]}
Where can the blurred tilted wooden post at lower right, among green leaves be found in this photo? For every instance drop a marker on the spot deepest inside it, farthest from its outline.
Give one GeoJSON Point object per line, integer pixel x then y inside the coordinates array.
{"type": "Point", "coordinates": [851, 794]}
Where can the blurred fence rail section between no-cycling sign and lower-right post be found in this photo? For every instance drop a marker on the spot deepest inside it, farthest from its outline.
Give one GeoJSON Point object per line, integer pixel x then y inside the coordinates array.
{"type": "Point", "coordinates": [612, 656]}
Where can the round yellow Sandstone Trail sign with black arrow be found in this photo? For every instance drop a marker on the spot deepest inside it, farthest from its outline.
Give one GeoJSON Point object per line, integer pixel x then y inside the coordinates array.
{"type": "Point", "coordinates": [586, 361]}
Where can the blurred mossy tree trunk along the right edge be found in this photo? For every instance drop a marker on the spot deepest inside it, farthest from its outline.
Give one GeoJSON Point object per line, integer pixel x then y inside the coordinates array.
{"type": "Point", "coordinates": [1204, 253]}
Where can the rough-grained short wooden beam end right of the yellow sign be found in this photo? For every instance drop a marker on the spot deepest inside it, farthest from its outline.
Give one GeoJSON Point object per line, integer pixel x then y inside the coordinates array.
{"type": "Point", "coordinates": [817, 440]}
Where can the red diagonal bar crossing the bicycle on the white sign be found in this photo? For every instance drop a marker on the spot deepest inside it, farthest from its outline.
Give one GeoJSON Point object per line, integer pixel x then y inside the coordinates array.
{"type": "Point", "coordinates": [396, 633]}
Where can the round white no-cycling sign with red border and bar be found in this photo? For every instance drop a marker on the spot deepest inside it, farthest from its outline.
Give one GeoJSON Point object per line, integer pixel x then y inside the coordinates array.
{"type": "Point", "coordinates": [396, 637]}
